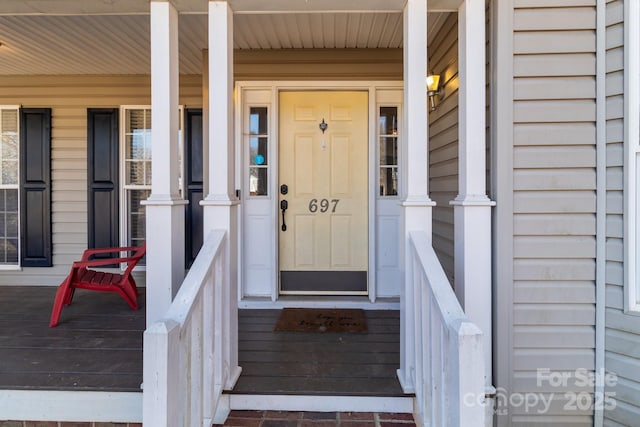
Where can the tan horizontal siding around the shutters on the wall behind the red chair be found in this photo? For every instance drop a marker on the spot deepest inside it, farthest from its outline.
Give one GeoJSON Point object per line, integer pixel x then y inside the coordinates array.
{"type": "Point", "coordinates": [69, 97]}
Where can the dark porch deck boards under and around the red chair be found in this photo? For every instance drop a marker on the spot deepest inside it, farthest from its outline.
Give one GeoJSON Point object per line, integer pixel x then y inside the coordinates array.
{"type": "Point", "coordinates": [96, 347]}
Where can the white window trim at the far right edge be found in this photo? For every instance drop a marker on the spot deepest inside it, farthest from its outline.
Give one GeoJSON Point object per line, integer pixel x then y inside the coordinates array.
{"type": "Point", "coordinates": [632, 156]}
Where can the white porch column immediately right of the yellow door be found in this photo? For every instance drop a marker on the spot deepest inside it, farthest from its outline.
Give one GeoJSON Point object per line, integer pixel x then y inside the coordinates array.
{"type": "Point", "coordinates": [417, 204]}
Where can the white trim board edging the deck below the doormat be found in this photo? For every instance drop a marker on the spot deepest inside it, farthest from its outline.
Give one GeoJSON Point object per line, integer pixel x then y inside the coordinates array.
{"type": "Point", "coordinates": [402, 405]}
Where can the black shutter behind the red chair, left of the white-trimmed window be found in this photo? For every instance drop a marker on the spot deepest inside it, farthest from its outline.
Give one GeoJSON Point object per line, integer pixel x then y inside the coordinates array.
{"type": "Point", "coordinates": [102, 177]}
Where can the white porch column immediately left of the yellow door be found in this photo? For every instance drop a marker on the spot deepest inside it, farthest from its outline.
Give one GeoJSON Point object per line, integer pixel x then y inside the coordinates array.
{"type": "Point", "coordinates": [221, 204]}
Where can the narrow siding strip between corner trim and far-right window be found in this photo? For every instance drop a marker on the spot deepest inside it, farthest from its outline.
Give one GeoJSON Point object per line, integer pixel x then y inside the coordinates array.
{"type": "Point", "coordinates": [622, 333]}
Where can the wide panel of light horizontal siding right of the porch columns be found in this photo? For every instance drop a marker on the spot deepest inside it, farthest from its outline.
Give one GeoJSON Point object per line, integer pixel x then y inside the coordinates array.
{"type": "Point", "coordinates": [554, 205]}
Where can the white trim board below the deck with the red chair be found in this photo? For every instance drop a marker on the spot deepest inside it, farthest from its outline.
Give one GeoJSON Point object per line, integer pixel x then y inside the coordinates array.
{"type": "Point", "coordinates": [46, 405]}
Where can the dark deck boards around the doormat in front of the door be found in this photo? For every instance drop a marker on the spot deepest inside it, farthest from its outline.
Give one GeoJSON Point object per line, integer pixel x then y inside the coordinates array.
{"type": "Point", "coordinates": [352, 364]}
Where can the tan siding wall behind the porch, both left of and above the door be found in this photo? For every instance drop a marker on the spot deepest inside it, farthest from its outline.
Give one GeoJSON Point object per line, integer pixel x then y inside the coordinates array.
{"type": "Point", "coordinates": [70, 96]}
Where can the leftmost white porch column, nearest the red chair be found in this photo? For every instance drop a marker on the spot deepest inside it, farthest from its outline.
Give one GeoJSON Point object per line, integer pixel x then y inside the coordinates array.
{"type": "Point", "coordinates": [164, 208]}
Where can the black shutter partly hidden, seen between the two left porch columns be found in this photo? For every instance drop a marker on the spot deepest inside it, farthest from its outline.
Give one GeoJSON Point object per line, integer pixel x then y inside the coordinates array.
{"type": "Point", "coordinates": [194, 179]}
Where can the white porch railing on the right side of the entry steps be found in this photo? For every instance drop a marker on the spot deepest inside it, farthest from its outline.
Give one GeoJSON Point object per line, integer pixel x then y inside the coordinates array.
{"type": "Point", "coordinates": [449, 360]}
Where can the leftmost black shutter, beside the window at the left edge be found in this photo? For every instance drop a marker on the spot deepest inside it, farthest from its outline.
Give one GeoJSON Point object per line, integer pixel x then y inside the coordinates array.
{"type": "Point", "coordinates": [35, 187]}
